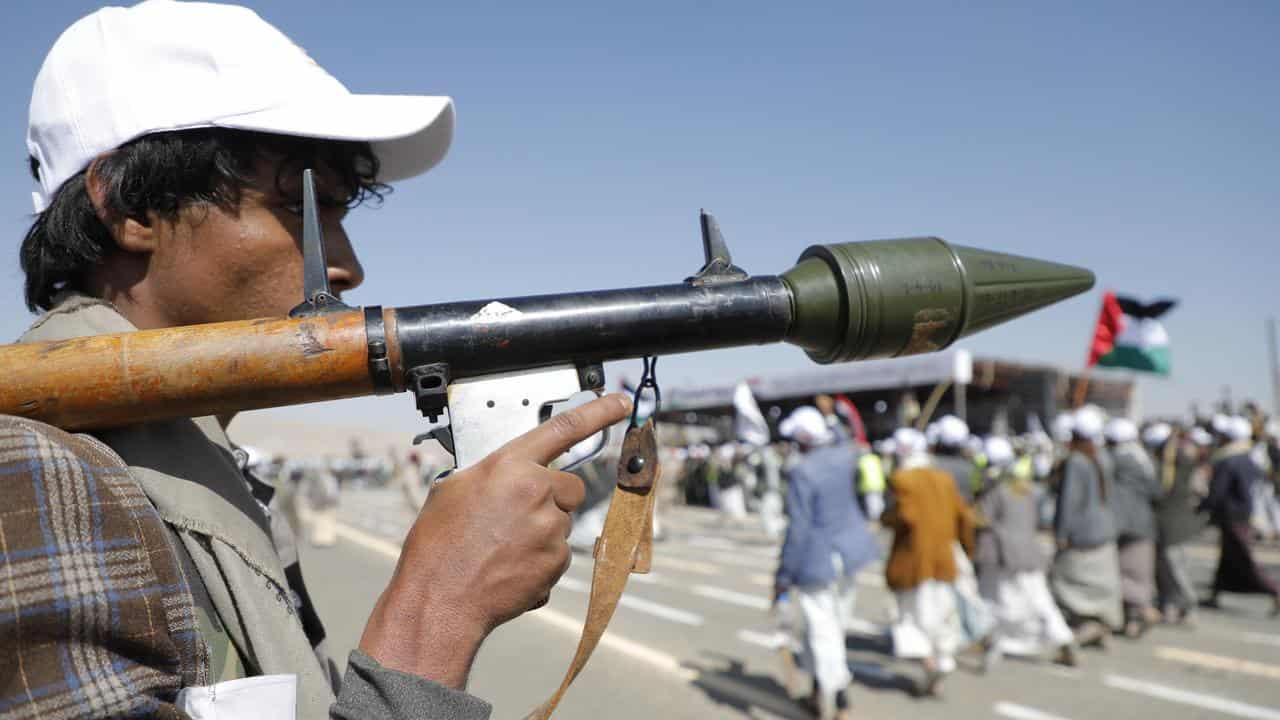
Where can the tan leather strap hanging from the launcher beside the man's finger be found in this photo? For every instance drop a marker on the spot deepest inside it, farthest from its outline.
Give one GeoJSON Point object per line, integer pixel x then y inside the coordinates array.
{"type": "Point", "coordinates": [625, 546]}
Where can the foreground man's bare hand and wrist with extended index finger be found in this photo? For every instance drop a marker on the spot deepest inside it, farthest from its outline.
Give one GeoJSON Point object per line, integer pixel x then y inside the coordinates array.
{"type": "Point", "coordinates": [488, 546]}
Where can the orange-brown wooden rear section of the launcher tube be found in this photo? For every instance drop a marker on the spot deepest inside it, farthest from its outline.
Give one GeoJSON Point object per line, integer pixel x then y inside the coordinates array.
{"type": "Point", "coordinates": [188, 372]}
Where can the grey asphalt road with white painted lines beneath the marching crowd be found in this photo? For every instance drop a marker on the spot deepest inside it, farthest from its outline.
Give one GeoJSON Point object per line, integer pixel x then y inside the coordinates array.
{"type": "Point", "coordinates": [694, 640]}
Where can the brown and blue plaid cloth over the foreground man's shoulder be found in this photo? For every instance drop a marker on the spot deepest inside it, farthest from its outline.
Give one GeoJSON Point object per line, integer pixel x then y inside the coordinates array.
{"type": "Point", "coordinates": [97, 614]}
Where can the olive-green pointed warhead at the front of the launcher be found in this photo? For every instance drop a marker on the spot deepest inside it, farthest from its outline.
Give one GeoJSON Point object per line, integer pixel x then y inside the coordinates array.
{"type": "Point", "coordinates": [892, 298]}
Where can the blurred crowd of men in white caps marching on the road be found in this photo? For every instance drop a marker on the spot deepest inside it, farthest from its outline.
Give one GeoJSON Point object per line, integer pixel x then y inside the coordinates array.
{"type": "Point", "coordinates": [1034, 546]}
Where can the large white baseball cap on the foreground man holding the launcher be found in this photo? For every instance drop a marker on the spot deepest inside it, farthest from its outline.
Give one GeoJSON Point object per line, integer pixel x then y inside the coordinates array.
{"type": "Point", "coordinates": [163, 66]}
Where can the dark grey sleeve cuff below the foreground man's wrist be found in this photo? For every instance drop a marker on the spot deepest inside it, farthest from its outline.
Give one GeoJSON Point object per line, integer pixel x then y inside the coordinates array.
{"type": "Point", "coordinates": [373, 692]}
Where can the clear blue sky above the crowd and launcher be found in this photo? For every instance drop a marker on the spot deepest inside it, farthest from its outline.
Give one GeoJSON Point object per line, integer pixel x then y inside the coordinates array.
{"type": "Point", "coordinates": [1140, 140]}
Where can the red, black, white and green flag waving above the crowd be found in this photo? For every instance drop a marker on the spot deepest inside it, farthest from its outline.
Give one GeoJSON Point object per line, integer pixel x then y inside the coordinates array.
{"type": "Point", "coordinates": [1130, 335]}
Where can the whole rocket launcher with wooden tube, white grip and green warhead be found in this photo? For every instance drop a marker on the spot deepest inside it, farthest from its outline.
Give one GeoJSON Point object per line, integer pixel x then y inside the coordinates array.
{"type": "Point", "coordinates": [500, 364]}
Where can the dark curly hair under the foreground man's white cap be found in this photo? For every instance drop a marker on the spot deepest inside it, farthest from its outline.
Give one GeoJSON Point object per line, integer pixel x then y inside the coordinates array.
{"type": "Point", "coordinates": [164, 174]}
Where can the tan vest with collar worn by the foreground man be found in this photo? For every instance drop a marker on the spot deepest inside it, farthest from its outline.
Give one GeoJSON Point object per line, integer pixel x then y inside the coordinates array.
{"type": "Point", "coordinates": [188, 471]}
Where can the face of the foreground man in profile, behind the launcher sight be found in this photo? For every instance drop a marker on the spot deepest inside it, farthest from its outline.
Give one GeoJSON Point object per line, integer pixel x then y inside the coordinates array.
{"type": "Point", "coordinates": [213, 265]}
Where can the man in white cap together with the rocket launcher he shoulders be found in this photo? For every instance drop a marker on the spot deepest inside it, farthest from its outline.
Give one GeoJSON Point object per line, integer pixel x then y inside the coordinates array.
{"type": "Point", "coordinates": [176, 235]}
